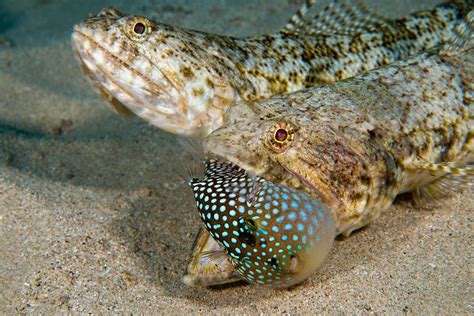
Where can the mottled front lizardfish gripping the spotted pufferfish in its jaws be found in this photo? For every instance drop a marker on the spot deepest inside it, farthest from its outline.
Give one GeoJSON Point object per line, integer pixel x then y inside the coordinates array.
{"type": "Point", "coordinates": [358, 143]}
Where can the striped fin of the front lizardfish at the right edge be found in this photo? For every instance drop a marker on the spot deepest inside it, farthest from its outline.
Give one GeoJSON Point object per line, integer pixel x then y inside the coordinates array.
{"type": "Point", "coordinates": [448, 178]}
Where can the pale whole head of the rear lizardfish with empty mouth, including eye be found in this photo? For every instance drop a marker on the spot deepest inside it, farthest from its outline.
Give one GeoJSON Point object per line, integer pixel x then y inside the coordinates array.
{"type": "Point", "coordinates": [163, 74]}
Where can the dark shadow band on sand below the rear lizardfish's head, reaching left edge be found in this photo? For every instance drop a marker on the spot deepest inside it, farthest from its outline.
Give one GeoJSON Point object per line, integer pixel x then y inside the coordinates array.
{"type": "Point", "coordinates": [120, 162]}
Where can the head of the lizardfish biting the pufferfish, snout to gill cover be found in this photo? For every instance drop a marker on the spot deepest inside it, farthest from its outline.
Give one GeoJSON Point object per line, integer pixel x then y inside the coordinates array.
{"type": "Point", "coordinates": [313, 141]}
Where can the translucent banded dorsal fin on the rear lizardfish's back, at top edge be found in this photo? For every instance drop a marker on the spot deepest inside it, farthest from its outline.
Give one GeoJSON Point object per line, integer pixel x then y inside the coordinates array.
{"type": "Point", "coordinates": [341, 17]}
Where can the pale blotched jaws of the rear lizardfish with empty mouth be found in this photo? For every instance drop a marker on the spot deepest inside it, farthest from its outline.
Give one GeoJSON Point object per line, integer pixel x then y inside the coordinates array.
{"type": "Point", "coordinates": [159, 104]}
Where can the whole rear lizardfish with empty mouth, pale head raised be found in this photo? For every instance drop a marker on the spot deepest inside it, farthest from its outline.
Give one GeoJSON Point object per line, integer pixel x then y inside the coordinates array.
{"type": "Point", "coordinates": [183, 81]}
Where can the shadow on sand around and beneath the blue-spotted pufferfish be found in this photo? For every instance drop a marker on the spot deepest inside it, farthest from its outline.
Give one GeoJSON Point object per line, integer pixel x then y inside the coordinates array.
{"type": "Point", "coordinates": [162, 247]}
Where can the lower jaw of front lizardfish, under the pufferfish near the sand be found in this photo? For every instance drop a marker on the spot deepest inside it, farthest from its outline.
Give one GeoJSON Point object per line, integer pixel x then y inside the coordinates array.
{"type": "Point", "coordinates": [210, 264]}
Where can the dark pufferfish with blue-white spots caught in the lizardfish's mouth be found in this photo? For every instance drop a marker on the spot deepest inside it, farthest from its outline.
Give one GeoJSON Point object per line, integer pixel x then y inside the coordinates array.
{"type": "Point", "coordinates": [272, 234]}
